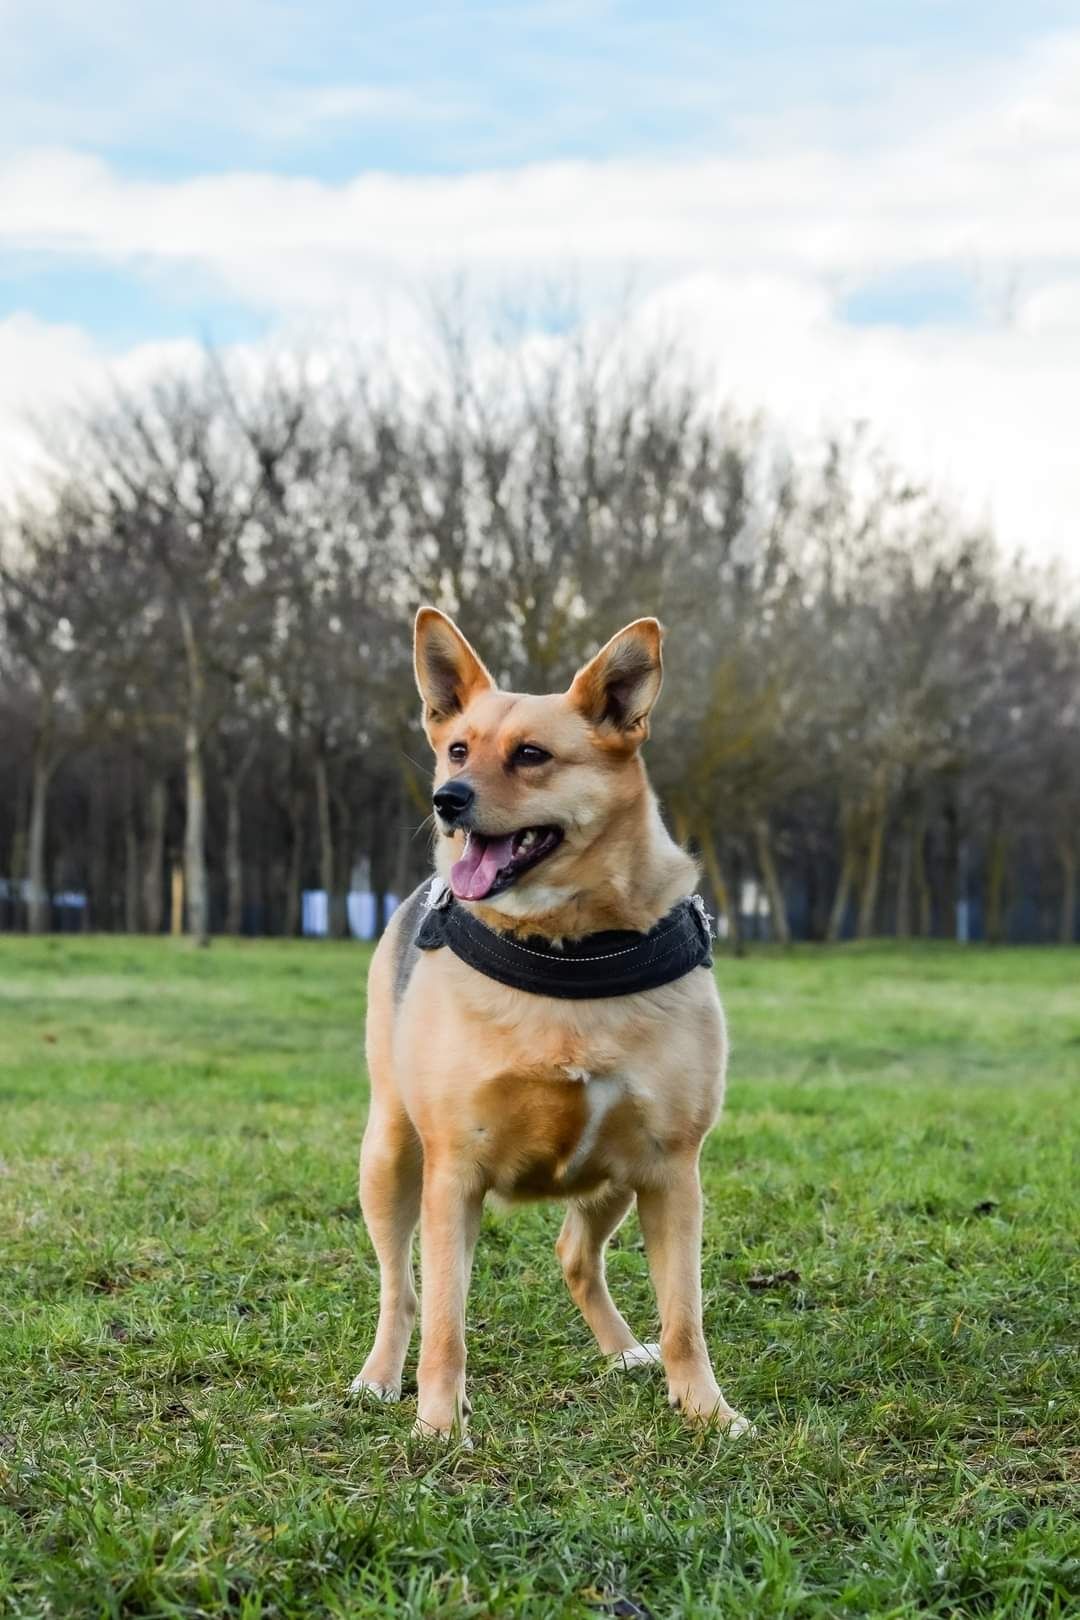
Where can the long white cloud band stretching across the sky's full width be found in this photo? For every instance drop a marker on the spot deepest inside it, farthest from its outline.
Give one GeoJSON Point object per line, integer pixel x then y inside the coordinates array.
{"type": "Point", "coordinates": [998, 187]}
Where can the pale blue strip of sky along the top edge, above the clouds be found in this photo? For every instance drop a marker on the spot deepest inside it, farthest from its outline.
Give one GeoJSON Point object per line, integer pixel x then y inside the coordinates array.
{"type": "Point", "coordinates": [436, 88]}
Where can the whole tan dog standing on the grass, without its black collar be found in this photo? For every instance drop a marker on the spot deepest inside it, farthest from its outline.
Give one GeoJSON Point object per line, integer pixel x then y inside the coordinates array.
{"type": "Point", "coordinates": [480, 1088]}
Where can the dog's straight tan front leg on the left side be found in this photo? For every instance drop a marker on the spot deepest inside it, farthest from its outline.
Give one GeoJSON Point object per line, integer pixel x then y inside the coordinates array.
{"type": "Point", "coordinates": [448, 1235]}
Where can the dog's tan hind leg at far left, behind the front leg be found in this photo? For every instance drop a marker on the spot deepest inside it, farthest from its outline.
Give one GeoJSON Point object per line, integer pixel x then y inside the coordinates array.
{"type": "Point", "coordinates": [391, 1175]}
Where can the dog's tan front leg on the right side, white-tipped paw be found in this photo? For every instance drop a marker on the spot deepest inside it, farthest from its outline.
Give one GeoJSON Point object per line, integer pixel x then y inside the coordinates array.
{"type": "Point", "coordinates": [671, 1224]}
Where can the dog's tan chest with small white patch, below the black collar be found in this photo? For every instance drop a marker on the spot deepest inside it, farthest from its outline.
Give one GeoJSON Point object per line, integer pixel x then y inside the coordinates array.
{"type": "Point", "coordinates": [546, 1099]}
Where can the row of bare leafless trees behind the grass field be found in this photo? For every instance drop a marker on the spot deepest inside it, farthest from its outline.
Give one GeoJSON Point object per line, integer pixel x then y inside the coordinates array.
{"type": "Point", "coordinates": [870, 720]}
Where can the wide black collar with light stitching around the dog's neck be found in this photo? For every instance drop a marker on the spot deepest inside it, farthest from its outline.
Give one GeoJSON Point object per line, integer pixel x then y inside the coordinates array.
{"type": "Point", "coordinates": [618, 963]}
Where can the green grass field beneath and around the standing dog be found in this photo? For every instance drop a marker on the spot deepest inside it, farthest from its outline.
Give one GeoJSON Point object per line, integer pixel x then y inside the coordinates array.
{"type": "Point", "coordinates": [185, 1294]}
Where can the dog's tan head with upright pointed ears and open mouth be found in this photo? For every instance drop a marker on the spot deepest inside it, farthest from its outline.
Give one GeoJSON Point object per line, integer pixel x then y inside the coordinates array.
{"type": "Point", "coordinates": [537, 793]}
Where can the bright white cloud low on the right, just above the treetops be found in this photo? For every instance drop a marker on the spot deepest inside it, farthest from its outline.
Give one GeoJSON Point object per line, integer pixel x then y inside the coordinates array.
{"type": "Point", "coordinates": [989, 416]}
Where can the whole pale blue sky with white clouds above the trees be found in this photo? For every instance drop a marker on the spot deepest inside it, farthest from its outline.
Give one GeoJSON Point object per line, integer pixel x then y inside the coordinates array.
{"type": "Point", "coordinates": [843, 211]}
